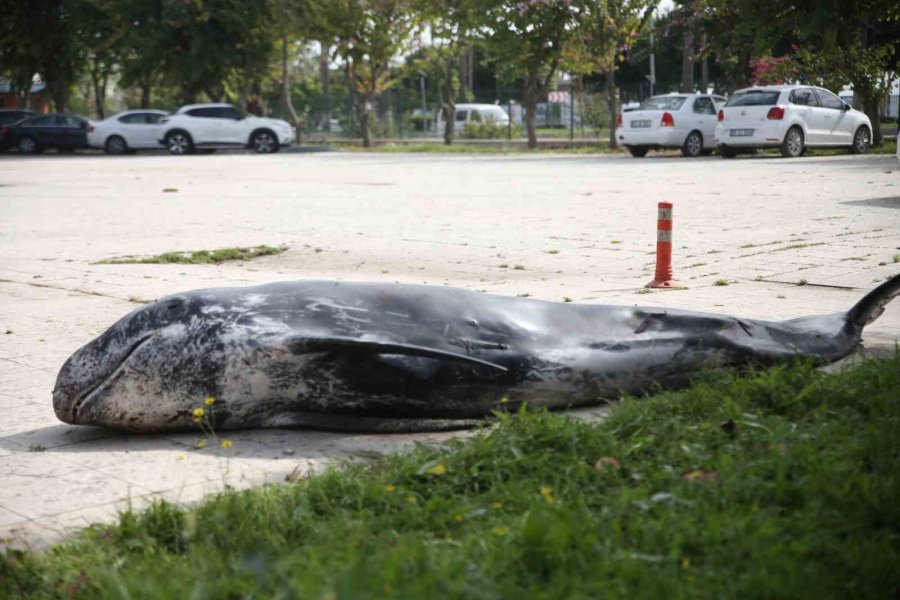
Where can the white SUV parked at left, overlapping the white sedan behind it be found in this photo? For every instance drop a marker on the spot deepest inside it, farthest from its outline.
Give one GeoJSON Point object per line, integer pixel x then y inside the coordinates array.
{"type": "Point", "coordinates": [213, 126]}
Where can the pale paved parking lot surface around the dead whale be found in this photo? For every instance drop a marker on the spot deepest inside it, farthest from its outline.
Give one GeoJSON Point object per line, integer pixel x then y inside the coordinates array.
{"type": "Point", "coordinates": [764, 238]}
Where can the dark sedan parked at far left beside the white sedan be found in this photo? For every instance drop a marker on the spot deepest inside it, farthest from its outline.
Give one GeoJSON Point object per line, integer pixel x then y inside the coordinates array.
{"type": "Point", "coordinates": [33, 135]}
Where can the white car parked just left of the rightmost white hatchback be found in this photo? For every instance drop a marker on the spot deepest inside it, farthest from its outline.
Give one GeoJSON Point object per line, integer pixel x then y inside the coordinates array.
{"type": "Point", "coordinates": [686, 121]}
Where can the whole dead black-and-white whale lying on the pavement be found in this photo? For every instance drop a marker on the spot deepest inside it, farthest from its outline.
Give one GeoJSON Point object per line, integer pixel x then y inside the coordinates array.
{"type": "Point", "coordinates": [389, 357]}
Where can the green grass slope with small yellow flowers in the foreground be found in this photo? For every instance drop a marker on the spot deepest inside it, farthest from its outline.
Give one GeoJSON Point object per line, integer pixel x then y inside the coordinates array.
{"type": "Point", "coordinates": [782, 484]}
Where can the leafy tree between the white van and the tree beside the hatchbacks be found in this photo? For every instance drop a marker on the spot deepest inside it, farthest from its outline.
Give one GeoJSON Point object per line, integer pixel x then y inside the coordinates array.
{"type": "Point", "coordinates": [525, 39]}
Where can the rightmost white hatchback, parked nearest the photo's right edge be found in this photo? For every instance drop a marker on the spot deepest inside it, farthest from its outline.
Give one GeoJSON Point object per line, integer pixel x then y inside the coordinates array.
{"type": "Point", "coordinates": [792, 118]}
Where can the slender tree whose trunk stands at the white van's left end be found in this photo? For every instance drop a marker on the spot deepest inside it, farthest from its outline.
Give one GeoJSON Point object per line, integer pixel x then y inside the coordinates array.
{"type": "Point", "coordinates": [451, 24]}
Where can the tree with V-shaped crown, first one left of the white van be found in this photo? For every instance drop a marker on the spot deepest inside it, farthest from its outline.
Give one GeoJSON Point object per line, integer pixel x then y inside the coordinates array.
{"type": "Point", "coordinates": [370, 34]}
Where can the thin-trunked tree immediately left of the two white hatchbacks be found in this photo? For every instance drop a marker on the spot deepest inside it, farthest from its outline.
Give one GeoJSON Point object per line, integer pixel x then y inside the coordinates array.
{"type": "Point", "coordinates": [607, 30]}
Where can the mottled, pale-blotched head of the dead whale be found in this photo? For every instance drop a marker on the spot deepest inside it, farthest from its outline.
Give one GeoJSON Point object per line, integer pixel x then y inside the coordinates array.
{"type": "Point", "coordinates": [151, 368]}
